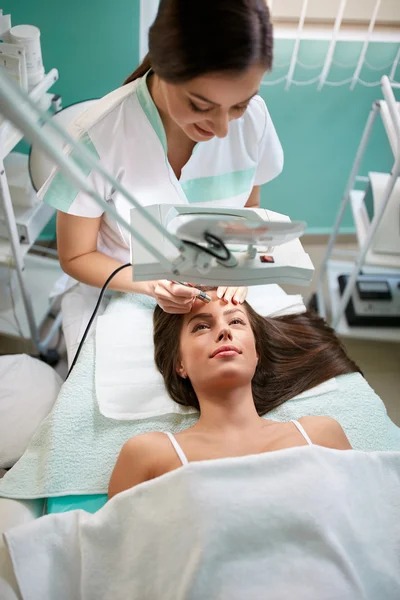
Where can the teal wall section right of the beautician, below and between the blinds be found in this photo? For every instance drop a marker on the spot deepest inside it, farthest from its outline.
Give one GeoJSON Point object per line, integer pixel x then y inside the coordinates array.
{"type": "Point", "coordinates": [320, 131]}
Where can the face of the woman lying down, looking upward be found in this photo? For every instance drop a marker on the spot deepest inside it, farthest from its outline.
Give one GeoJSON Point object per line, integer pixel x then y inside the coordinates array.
{"type": "Point", "coordinates": [217, 345]}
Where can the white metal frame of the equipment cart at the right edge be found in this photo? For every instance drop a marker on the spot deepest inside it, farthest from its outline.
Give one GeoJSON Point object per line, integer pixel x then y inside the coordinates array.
{"type": "Point", "coordinates": [365, 260]}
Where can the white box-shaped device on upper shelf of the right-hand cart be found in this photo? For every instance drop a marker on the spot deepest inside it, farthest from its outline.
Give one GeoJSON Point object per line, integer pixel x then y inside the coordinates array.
{"type": "Point", "coordinates": [387, 236]}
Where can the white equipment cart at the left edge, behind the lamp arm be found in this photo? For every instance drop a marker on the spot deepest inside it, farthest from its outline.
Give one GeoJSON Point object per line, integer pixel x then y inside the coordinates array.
{"type": "Point", "coordinates": [36, 274]}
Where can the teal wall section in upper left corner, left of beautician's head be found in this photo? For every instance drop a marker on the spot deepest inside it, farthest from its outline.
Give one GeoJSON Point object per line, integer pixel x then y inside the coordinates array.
{"type": "Point", "coordinates": [94, 44]}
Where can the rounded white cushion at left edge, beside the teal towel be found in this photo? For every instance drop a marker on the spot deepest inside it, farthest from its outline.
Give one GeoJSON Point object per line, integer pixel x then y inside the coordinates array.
{"type": "Point", "coordinates": [28, 391]}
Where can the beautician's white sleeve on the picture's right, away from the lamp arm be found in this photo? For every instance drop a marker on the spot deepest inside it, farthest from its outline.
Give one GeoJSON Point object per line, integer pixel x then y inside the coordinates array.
{"type": "Point", "coordinates": [270, 156]}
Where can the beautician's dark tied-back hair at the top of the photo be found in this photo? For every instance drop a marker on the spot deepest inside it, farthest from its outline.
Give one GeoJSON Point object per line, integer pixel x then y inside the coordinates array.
{"type": "Point", "coordinates": [190, 38]}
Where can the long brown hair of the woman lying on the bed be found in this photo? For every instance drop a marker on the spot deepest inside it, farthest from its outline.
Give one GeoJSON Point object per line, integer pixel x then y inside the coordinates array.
{"type": "Point", "coordinates": [297, 352]}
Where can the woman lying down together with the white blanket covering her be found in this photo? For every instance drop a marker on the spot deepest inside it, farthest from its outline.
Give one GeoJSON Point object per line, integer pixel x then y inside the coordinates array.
{"type": "Point", "coordinates": [237, 506]}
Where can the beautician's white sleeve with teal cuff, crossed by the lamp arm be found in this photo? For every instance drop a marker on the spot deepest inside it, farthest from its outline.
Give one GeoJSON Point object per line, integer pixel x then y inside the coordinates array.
{"type": "Point", "coordinates": [62, 194]}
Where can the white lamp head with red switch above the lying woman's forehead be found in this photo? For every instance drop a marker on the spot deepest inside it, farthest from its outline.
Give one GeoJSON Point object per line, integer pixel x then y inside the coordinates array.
{"type": "Point", "coordinates": [265, 250]}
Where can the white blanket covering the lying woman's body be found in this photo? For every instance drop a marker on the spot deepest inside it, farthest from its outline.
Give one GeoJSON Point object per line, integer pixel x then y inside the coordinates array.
{"type": "Point", "coordinates": [306, 523]}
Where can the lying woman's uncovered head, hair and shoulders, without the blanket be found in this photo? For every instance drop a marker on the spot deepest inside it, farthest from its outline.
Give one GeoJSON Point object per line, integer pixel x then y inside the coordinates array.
{"type": "Point", "coordinates": [235, 366]}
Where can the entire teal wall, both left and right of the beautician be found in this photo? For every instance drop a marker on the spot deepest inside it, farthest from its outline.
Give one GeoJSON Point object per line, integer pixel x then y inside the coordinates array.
{"type": "Point", "coordinates": [94, 45]}
